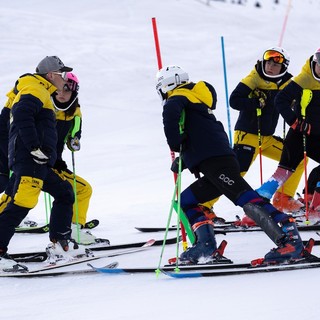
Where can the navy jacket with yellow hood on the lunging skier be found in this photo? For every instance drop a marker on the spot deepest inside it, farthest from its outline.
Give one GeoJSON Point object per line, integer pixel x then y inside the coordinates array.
{"type": "Point", "coordinates": [203, 136]}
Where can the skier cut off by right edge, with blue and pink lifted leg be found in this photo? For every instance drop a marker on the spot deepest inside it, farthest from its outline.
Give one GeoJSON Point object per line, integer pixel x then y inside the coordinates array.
{"type": "Point", "coordinates": [303, 94]}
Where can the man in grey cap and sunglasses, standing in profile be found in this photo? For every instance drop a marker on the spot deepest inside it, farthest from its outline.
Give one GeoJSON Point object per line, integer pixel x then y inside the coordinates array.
{"type": "Point", "coordinates": [32, 153]}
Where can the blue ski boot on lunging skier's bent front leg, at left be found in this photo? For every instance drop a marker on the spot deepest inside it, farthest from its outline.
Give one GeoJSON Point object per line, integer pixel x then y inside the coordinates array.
{"type": "Point", "coordinates": [205, 244]}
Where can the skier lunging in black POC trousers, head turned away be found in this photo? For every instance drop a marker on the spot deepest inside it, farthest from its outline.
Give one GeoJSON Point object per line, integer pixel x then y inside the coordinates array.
{"type": "Point", "coordinates": [204, 147]}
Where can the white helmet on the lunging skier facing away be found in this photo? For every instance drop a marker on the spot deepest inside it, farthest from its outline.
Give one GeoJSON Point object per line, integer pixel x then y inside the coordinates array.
{"type": "Point", "coordinates": [170, 77]}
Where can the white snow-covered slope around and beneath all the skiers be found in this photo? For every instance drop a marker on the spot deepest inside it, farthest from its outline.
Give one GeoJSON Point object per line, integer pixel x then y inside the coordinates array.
{"type": "Point", "coordinates": [124, 153]}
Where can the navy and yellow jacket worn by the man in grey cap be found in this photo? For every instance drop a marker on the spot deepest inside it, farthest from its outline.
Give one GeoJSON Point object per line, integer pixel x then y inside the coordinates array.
{"type": "Point", "coordinates": [32, 122]}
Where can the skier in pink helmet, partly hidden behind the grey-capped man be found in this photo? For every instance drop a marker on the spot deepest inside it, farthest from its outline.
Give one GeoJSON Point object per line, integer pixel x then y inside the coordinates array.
{"type": "Point", "coordinates": [69, 124]}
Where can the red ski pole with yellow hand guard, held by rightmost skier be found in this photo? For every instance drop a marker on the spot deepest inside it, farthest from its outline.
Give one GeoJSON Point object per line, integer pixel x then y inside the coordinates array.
{"type": "Point", "coordinates": [305, 100]}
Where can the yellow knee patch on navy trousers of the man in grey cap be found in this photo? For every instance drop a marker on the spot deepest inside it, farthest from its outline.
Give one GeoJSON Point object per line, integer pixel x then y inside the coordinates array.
{"type": "Point", "coordinates": [28, 191]}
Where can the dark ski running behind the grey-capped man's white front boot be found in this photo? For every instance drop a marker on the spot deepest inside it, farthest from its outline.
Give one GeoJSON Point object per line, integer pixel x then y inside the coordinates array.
{"type": "Point", "coordinates": [41, 256]}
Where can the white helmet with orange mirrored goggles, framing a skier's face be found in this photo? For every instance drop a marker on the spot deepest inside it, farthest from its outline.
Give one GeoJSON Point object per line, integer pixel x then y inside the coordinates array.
{"type": "Point", "coordinates": [278, 55]}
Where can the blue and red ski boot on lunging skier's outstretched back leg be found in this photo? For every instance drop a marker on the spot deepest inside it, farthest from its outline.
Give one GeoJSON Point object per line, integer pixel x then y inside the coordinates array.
{"type": "Point", "coordinates": [290, 246]}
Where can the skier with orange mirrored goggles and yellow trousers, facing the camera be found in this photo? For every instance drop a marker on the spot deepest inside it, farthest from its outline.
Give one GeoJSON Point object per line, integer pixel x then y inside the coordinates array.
{"type": "Point", "coordinates": [258, 117]}
